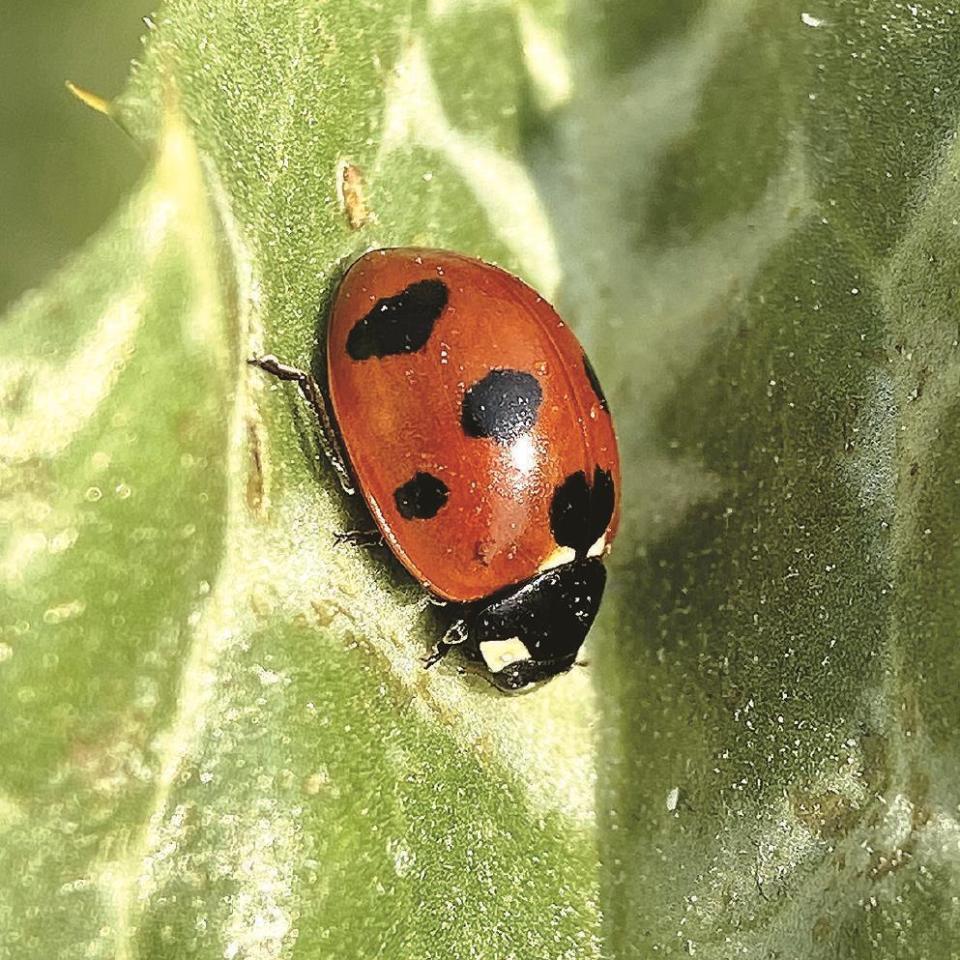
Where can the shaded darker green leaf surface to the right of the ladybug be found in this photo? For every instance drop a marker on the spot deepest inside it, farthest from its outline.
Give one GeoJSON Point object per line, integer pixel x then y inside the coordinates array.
{"type": "Point", "coordinates": [769, 284]}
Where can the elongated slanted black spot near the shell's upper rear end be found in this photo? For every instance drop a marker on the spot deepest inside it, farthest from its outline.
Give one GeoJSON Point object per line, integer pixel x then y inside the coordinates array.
{"type": "Point", "coordinates": [399, 324]}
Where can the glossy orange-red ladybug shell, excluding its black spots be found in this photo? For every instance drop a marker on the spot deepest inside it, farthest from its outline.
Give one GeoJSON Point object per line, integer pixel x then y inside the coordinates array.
{"type": "Point", "coordinates": [400, 415]}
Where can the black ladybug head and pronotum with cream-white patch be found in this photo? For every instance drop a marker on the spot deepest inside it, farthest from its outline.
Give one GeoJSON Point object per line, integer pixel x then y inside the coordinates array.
{"type": "Point", "coordinates": [533, 631]}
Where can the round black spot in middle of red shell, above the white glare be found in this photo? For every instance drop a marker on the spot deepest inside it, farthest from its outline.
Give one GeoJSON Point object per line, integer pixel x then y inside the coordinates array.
{"type": "Point", "coordinates": [503, 405]}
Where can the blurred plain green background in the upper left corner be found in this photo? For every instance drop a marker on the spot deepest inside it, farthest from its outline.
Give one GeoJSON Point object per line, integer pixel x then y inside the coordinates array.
{"type": "Point", "coordinates": [61, 172]}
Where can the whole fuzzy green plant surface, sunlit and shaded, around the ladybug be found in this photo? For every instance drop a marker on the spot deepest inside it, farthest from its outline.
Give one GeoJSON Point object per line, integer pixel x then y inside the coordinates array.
{"type": "Point", "coordinates": [216, 736]}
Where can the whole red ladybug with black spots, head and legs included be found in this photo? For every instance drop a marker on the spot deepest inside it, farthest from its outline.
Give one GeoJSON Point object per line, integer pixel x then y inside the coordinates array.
{"type": "Point", "coordinates": [477, 433]}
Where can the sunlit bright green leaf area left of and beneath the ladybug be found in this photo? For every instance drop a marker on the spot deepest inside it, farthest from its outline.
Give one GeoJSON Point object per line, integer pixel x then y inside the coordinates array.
{"type": "Point", "coordinates": [218, 736]}
